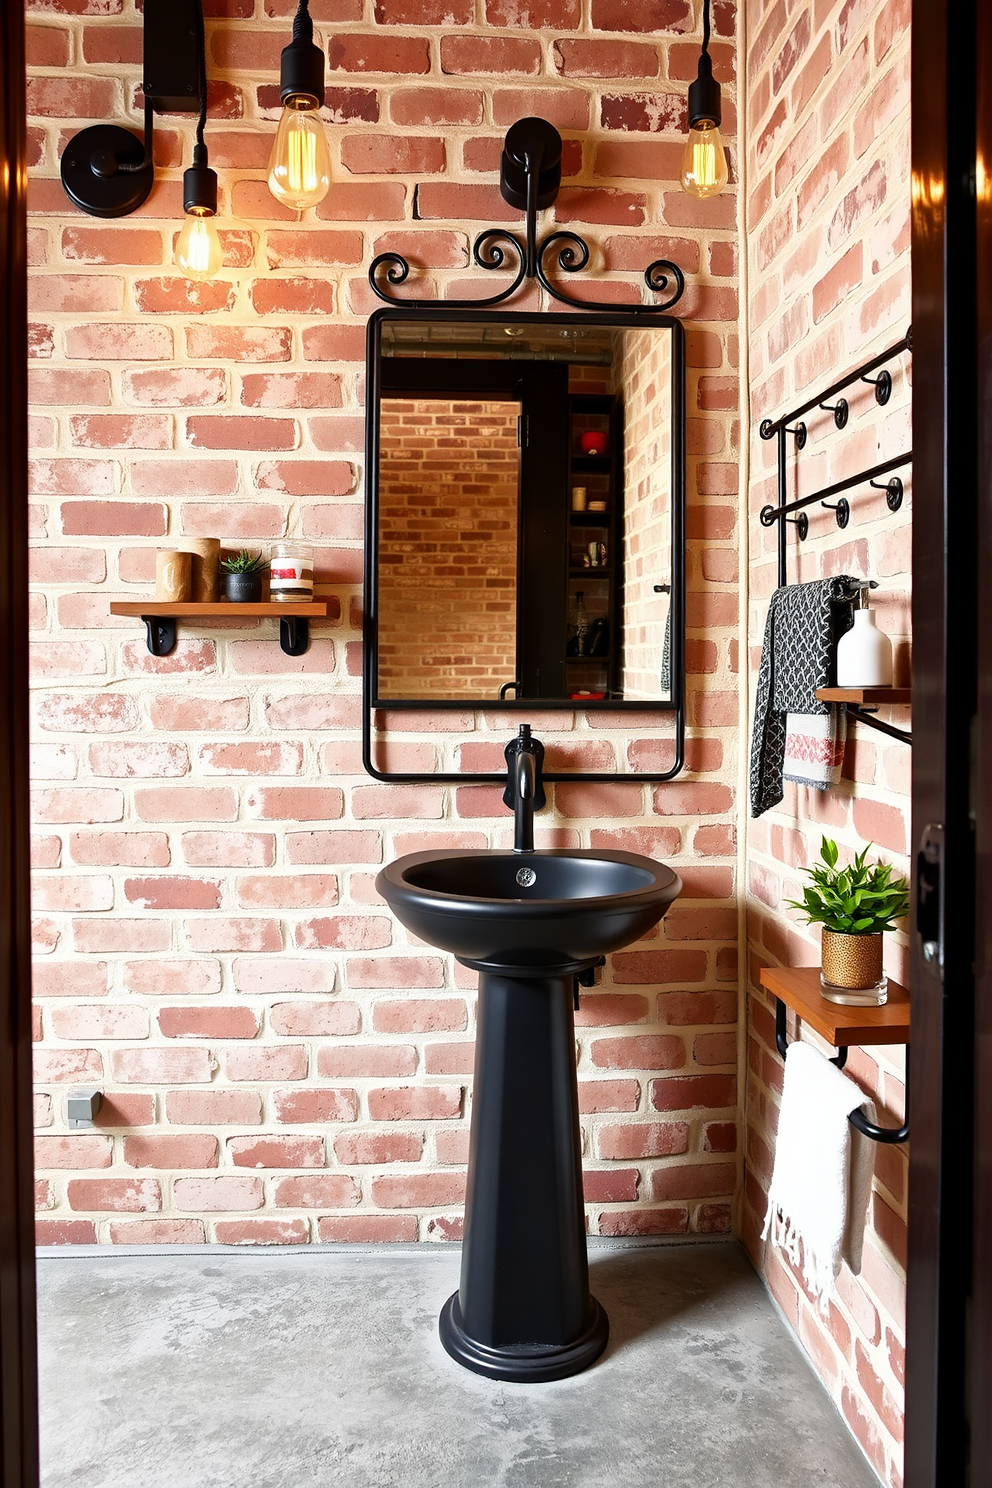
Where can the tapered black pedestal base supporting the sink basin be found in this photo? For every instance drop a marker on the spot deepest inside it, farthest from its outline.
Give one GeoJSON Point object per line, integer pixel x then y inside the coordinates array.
{"type": "Point", "coordinates": [523, 1310]}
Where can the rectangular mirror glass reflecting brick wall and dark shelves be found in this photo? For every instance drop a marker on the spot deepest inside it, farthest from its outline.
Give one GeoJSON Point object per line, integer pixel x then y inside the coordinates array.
{"type": "Point", "coordinates": [527, 510]}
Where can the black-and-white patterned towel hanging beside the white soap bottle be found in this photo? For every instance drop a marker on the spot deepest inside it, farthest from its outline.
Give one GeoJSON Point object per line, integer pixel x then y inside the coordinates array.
{"type": "Point", "coordinates": [796, 737]}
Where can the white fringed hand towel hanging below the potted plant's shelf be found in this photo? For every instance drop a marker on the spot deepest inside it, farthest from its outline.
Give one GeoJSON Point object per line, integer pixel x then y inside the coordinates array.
{"type": "Point", "coordinates": [822, 1181]}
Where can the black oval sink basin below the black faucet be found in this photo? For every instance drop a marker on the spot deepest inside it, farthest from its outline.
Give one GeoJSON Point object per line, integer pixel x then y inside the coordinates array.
{"type": "Point", "coordinates": [532, 910]}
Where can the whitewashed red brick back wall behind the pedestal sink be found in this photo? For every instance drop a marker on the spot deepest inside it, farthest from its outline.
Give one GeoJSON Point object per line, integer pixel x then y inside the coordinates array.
{"type": "Point", "coordinates": [280, 1062]}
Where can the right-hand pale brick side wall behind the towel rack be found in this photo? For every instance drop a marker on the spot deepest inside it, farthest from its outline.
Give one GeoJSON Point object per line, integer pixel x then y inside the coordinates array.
{"type": "Point", "coordinates": [829, 211]}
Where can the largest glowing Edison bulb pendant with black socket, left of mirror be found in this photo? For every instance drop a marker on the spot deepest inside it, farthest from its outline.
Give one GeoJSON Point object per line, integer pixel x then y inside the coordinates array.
{"type": "Point", "coordinates": [300, 166]}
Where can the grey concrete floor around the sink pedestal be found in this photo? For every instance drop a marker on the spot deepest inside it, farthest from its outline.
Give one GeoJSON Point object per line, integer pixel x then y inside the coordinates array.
{"type": "Point", "coordinates": [322, 1370]}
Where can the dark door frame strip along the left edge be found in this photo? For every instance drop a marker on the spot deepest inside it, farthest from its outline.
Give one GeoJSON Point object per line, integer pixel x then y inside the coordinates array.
{"type": "Point", "coordinates": [19, 1365]}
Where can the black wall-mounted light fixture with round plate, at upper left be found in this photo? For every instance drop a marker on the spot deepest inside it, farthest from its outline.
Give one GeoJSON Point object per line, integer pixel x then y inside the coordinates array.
{"type": "Point", "coordinates": [108, 170]}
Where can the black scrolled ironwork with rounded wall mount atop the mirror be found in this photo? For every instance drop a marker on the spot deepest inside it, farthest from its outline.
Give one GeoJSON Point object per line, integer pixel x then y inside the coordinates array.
{"type": "Point", "coordinates": [530, 178]}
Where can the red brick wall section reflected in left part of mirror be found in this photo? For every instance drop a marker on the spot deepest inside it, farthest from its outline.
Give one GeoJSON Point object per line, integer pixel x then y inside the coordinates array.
{"type": "Point", "coordinates": [448, 495]}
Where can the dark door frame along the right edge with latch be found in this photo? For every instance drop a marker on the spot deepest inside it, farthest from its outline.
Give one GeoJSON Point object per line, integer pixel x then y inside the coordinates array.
{"type": "Point", "coordinates": [950, 1306]}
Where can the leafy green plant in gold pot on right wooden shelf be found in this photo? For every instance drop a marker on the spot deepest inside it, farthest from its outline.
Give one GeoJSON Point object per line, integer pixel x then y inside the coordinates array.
{"type": "Point", "coordinates": [854, 905]}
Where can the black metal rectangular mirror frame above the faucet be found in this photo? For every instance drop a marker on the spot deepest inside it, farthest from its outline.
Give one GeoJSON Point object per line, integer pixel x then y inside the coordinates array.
{"type": "Point", "coordinates": [371, 703]}
